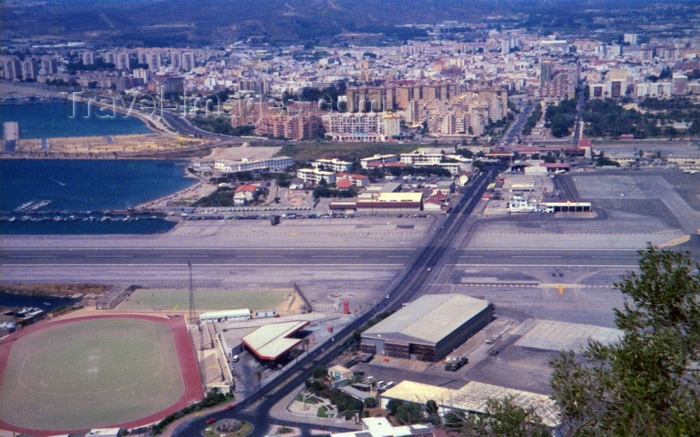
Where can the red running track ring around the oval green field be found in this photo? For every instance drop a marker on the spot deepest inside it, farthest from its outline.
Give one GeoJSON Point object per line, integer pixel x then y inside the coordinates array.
{"type": "Point", "coordinates": [185, 352]}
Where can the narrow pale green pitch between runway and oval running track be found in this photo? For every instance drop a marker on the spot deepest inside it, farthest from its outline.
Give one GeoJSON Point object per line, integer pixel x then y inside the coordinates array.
{"type": "Point", "coordinates": [206, 300]}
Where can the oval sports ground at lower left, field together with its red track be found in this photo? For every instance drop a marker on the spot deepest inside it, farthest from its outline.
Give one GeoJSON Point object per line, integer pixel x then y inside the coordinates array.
{"type": "Point", "coordinates": [94, 372]}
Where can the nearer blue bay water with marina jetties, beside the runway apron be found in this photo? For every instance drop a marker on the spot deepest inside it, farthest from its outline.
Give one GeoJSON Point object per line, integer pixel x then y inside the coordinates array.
{"type": "Point", "coordinates": [80, 187]}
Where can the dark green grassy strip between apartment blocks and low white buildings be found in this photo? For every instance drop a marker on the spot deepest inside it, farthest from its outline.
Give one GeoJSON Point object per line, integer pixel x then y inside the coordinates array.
{"type": "Point", "coordinates": [309, 151]}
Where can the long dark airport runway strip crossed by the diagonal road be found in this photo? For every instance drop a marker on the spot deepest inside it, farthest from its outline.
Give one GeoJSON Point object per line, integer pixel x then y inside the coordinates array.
{"type": "Point", "coordinates": [306, 257]}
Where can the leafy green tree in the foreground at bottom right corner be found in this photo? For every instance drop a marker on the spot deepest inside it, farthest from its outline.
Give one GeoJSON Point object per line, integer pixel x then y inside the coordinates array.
{"type": "Point", "coordinates": [648, 383]}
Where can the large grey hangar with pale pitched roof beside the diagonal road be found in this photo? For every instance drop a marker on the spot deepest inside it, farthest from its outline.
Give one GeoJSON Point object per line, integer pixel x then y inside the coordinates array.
{"type": "Point", "coordinates": [428, 328]}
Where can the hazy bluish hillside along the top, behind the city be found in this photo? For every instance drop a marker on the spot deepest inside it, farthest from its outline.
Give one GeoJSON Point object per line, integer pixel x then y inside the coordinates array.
{"type": "Point", "coordinates": [187, 23]}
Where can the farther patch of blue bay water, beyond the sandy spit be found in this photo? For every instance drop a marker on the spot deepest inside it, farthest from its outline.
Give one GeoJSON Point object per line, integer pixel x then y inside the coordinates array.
{"type": "Point", "coordinates": [60, 120]}
